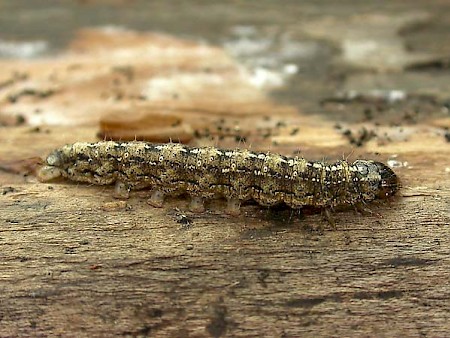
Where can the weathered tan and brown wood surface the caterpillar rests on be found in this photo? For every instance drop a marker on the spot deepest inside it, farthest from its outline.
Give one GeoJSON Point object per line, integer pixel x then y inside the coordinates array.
{"type": "Point", "coordinates": [75, 262]}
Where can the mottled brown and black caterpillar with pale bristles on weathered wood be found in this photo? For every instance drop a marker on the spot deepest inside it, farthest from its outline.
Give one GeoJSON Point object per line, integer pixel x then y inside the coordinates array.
{"type": "Point", "coordinates": [206, 172]}
